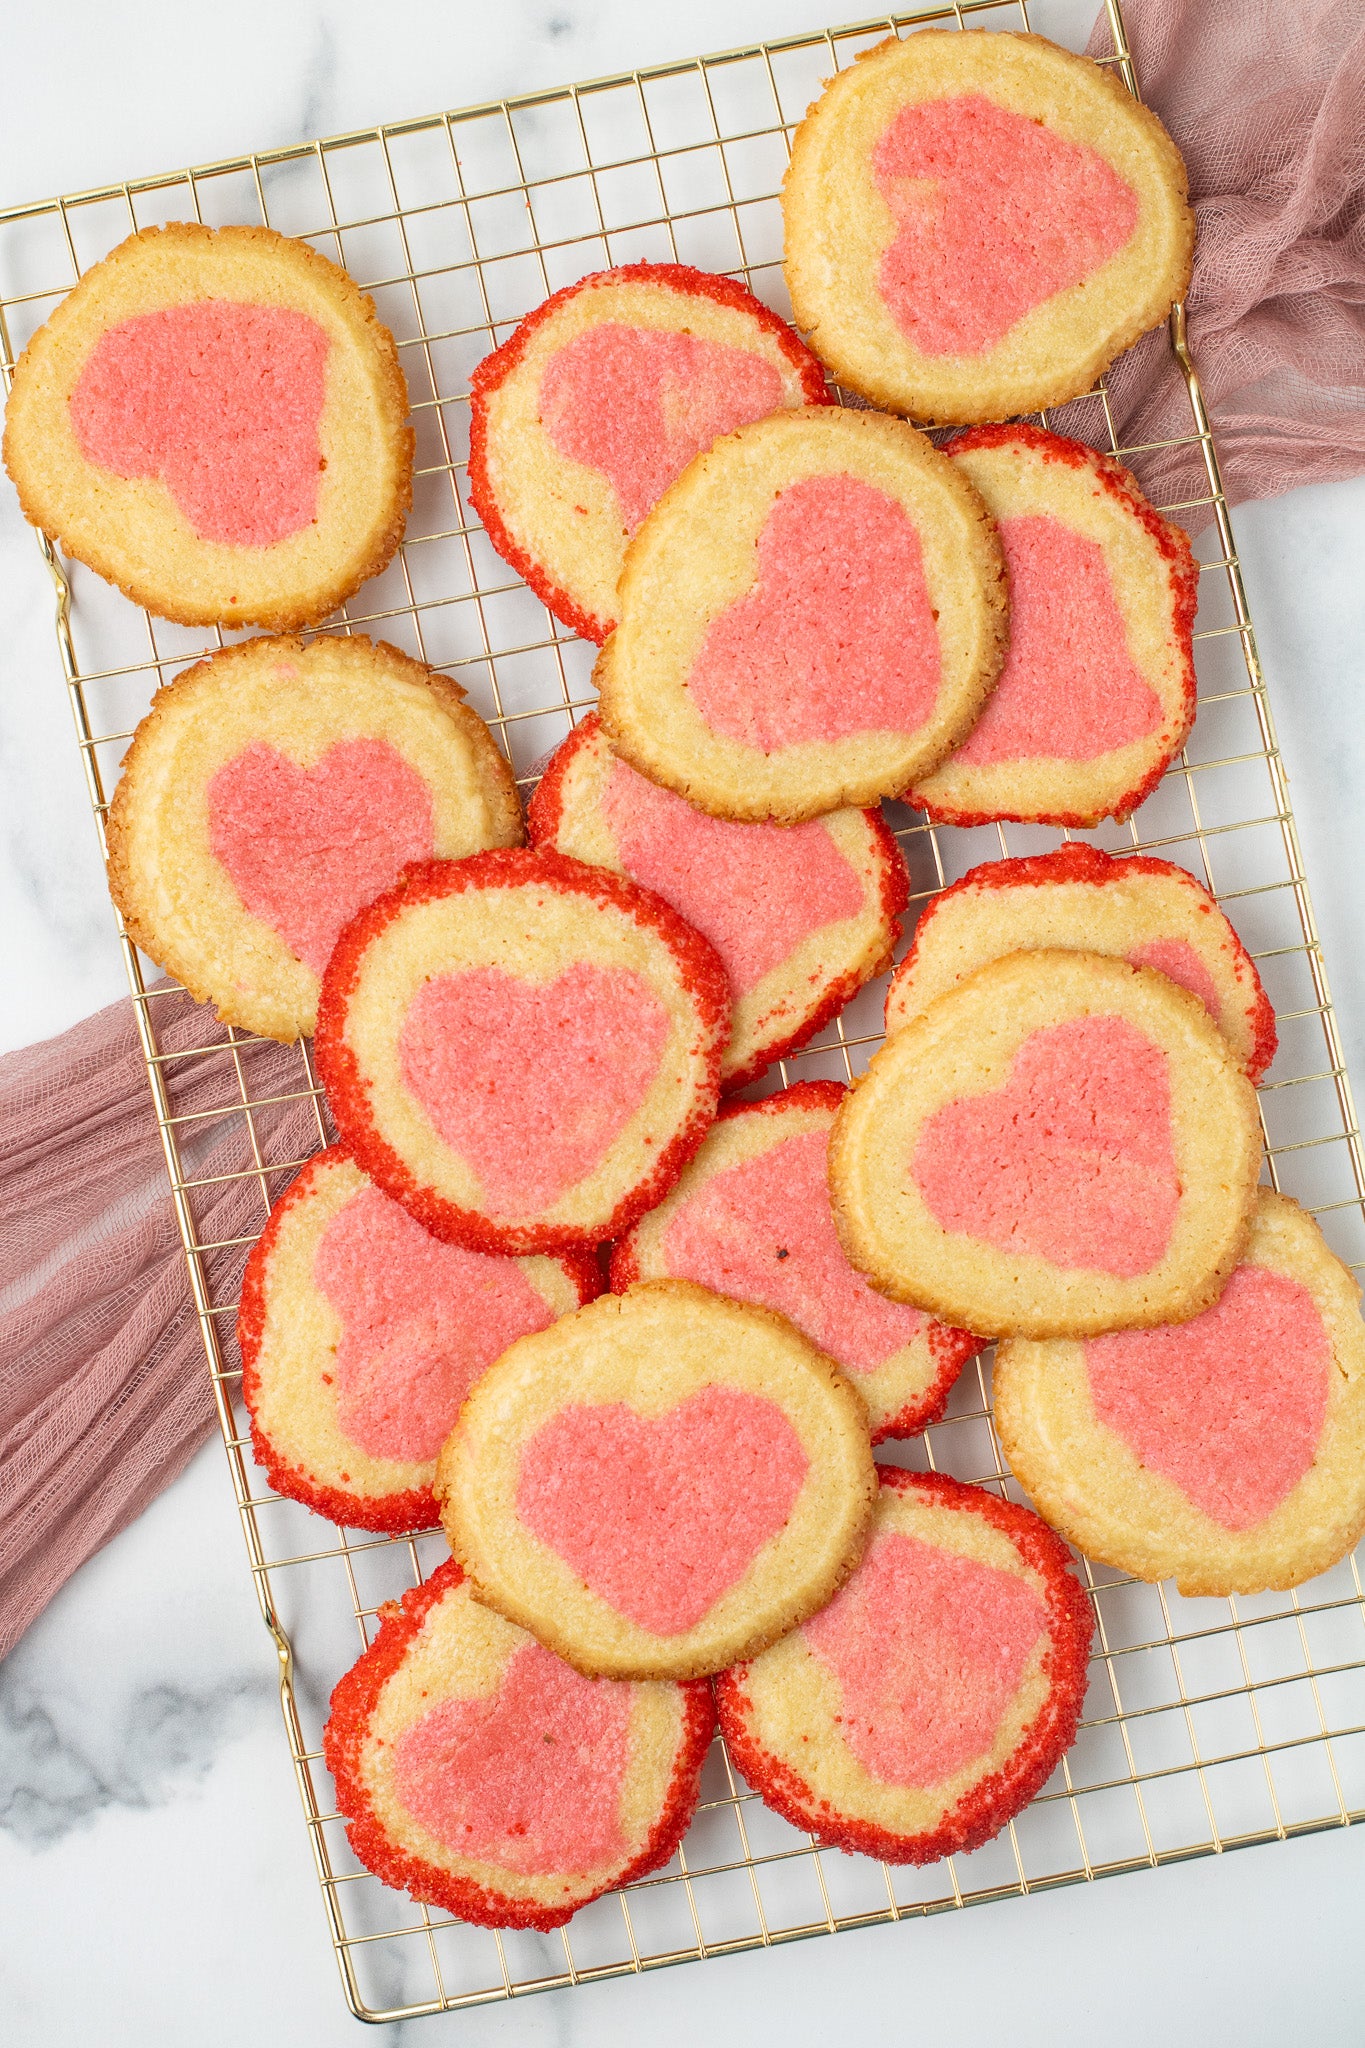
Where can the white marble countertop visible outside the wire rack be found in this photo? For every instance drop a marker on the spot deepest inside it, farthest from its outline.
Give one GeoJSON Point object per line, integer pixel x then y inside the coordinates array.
{"type": "Point", "coordinates": [155, 1869]}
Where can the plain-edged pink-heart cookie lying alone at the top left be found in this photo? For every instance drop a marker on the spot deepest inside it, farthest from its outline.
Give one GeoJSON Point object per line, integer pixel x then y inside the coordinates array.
{"type": "Point", "coordinates": [216, 421]}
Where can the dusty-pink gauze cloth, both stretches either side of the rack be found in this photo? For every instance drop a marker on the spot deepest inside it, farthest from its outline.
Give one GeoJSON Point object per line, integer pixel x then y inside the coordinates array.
{"type": "Point", "coordinates": [103, 1390]}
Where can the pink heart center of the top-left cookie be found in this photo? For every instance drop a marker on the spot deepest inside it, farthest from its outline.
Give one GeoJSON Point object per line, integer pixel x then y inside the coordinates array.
{"type": "Point", "coordinates": [222, 402]}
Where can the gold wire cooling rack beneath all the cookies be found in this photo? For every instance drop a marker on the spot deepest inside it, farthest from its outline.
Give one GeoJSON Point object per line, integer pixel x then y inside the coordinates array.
{"type": "Point", "coordinates": [1210, 1723]}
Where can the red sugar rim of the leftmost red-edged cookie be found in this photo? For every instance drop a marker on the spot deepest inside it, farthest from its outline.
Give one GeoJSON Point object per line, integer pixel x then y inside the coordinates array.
{"type": "Point", "coordinates": [384, 1512]}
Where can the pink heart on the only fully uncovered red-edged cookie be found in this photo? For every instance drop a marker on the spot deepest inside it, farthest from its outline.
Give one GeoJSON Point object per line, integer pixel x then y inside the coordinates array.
{"type": "Point", "coordinates": [533, 1082]}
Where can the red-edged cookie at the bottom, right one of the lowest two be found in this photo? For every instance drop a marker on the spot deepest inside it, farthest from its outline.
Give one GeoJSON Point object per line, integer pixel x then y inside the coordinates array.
{"type": "Point", "coordinates": [936, 1695]}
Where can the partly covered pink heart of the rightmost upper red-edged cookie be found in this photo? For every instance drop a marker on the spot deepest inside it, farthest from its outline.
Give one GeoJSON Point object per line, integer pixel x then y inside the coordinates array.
{"type": "Point", "coordinates": [1069, 689]}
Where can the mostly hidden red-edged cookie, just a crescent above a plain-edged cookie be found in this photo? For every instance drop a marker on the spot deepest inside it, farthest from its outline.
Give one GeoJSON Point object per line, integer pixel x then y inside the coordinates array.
{"type": "Point", "coordinates": [1141, 910]}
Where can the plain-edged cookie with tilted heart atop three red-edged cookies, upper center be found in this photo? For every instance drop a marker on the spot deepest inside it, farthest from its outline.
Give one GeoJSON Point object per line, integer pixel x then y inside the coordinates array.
{"type": "Point", "coordinates": [811, 617]}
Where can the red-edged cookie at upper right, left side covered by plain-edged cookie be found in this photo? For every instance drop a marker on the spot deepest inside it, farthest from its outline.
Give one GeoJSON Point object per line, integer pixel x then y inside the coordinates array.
{"type": "Point", "coordinates": [1098, 691]}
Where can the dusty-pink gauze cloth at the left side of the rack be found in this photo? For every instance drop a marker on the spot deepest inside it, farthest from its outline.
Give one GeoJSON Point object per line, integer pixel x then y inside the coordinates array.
{"type": "Point", "coordinates": [103, 1383]}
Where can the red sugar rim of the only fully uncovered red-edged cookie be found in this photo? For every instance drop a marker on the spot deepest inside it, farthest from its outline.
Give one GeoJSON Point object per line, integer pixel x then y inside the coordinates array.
{"type": "Point", "coordinates": [515, 867]}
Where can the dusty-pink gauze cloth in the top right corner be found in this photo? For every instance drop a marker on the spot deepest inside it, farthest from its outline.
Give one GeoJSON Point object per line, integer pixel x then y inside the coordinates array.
{"type": "Point", "coordinates": [1268, 105]}
